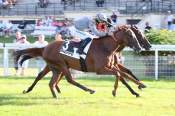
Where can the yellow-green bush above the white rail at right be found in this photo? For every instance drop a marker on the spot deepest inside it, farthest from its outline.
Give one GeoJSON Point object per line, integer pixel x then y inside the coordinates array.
{"type": "Point", "coordinates": [161, 37]}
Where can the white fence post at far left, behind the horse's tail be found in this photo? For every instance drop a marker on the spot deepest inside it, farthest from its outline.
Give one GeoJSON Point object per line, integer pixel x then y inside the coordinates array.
{"type": "Point", "coordinates": [5, 61]}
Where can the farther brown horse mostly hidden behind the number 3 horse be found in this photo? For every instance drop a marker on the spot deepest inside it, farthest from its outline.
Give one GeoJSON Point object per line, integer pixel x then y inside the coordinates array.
{"type": "Point", "coordinates": [143, 42]}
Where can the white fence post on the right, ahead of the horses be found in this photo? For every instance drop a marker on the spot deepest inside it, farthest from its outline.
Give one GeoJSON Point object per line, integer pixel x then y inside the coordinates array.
{"type": "Point", "coordinates": [156, 64]}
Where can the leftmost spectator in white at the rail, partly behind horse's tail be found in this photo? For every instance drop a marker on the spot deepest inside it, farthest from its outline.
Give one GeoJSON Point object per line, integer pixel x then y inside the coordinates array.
{"type": "Point", "coordinates": [21, 42]}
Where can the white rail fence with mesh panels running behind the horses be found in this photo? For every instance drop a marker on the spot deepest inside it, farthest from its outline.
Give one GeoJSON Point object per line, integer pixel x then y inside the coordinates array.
{"type": "Point", "coordinates": [148, 66]}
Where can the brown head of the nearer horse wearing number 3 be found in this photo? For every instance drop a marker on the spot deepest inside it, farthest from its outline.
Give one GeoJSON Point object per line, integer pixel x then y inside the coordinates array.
{"type": "Point", "coordinates": [126, 37]}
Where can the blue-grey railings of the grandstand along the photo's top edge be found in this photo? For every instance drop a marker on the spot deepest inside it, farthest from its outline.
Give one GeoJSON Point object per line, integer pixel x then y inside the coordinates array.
{"type": "Point", "coordinates": [57, 7]}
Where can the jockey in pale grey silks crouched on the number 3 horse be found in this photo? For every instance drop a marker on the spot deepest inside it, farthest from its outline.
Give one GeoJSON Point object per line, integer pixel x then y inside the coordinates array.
{"type": "Point", "coordinates": [91, 24]}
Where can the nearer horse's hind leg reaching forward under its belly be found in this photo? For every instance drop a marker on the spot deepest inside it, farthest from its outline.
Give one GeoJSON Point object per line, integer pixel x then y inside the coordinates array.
{"type": "Point", "coordinates": [69, 78]}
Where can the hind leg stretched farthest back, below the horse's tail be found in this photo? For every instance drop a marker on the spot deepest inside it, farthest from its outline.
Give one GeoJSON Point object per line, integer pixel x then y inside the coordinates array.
{"type": "Point", "coordinates": [39, 77]}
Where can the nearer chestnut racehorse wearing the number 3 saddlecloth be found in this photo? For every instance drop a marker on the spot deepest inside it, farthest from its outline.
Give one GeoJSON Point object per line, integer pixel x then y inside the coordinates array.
{"type": "Point", "coordinates": [103, 49]}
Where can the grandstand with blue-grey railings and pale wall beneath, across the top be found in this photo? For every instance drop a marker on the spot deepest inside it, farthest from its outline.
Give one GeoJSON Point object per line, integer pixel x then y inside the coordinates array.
{"type": "Point", "coordinates": [129, 9]}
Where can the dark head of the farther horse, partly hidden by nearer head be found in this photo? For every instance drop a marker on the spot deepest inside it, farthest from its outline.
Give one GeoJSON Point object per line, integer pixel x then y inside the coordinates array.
{"type": "Point", "coordinates": [141, 38]}
